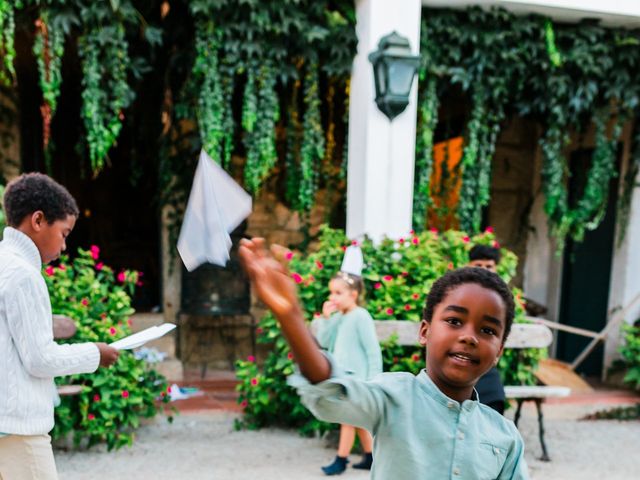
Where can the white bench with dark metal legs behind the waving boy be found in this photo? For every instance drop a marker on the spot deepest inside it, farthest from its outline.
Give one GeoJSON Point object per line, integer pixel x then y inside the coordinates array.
{"type": "Point", "coordinates": [523, 335]}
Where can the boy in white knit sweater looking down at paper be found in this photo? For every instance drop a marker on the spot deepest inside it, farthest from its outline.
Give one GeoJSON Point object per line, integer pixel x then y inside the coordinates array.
{"type": "Point", "coordinates": [40, 214]}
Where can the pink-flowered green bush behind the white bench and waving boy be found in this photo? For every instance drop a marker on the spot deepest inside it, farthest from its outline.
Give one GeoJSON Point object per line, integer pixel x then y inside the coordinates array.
{"type": "Point", "coordinates": [397, 276]}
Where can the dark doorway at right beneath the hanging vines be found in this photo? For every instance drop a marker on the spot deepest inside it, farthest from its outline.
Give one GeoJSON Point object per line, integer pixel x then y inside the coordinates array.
{"type": "Point", "coordinates": [586, 274]}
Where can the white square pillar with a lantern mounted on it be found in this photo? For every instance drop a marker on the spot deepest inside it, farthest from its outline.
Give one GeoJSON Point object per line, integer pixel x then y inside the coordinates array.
{"type": "Point", "coordinates": [381, 153]}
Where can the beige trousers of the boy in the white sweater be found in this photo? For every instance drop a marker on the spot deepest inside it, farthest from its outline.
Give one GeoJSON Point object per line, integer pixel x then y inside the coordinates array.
{"type": "Point", "coordinates": [27, 457]}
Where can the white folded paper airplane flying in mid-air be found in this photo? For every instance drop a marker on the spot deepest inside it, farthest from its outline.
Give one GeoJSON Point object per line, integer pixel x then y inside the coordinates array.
{"type": "Point", "coordinates": [217, 205]}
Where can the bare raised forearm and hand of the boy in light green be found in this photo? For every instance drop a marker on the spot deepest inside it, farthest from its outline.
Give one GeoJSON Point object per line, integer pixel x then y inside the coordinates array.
{"type": "Point", "coordinates": [274, 286]}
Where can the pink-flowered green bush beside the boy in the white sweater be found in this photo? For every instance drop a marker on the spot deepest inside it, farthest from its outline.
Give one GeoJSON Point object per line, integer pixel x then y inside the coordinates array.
{"type": "Point", "coordinates": [113, 399]}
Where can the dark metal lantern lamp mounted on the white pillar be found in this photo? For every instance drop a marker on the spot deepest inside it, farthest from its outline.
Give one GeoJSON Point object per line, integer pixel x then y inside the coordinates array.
{"type": "Point", "coordinates": [393, 70]}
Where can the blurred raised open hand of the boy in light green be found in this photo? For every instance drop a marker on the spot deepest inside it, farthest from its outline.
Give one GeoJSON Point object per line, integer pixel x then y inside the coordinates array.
{"type": "Point", "coordinates": [271, 280]}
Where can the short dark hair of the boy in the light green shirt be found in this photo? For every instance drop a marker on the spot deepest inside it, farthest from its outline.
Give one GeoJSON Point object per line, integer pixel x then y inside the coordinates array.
{"type": "Point", "coordinates": [479, 276]}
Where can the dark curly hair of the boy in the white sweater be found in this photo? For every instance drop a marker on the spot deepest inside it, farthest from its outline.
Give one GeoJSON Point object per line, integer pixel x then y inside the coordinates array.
{"type": "Point", "coordinates": [31, 192]}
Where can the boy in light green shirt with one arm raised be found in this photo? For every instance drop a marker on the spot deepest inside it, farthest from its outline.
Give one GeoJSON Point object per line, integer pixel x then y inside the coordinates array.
{"type": "Point", "coordinates": [426, 426]}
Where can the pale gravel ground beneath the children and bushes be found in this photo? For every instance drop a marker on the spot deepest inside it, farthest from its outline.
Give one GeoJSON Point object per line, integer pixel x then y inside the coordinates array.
{"type": "Point", "coordinates": [205, 446]}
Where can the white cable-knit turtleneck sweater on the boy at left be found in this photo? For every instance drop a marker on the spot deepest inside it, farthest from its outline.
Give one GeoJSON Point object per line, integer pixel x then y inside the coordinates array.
{"type": "Point", "coordinates": [29, 358]}
